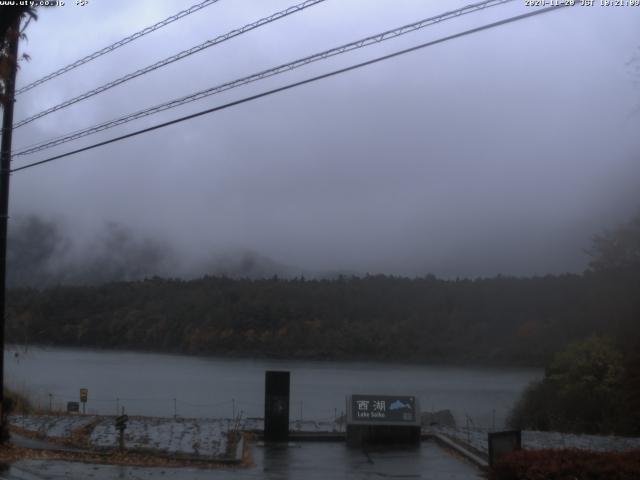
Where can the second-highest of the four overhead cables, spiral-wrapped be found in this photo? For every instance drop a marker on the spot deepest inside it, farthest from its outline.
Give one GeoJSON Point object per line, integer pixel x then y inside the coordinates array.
{"type": "Point", "coordinates": [174, 58]}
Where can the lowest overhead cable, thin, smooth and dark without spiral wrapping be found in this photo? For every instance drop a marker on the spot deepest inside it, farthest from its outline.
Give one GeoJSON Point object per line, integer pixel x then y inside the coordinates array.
{"type": "Point", "coordinates": [296, 84]}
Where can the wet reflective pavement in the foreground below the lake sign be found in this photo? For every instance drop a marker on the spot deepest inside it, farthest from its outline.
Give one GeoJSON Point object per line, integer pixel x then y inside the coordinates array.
{"type": "Point", "coordinates": [294, 461]}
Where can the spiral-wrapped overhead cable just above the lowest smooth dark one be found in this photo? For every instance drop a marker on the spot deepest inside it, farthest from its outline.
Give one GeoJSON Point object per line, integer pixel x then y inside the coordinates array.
{"type": "Point", "coordinates": [364, 42]}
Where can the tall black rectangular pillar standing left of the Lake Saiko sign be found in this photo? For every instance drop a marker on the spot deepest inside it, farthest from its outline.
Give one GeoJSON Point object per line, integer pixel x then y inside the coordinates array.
{"type": "Point", "coordinates": [276, 406]}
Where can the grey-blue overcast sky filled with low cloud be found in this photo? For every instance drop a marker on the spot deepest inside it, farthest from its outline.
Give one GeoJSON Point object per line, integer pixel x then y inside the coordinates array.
{"type": "Point", "coordinates": [500, 152]}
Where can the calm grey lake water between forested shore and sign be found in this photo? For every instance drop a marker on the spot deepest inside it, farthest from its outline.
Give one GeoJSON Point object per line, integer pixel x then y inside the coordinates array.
{"type": "Point", "coordinates": [189, 386]}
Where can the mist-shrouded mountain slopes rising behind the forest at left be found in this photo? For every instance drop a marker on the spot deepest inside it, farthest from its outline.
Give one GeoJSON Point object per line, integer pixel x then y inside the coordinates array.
{"type": "Point", "coordinates": [41, 255]}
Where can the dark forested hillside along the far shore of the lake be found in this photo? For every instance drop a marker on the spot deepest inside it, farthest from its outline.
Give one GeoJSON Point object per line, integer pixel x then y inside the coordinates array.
{"type": "Point", "coordinates": [499, 320]}
